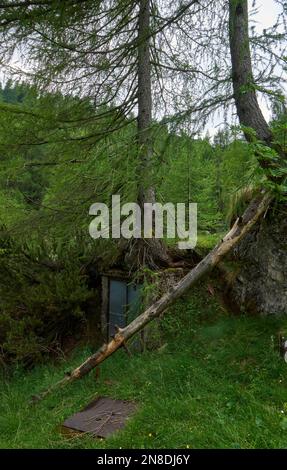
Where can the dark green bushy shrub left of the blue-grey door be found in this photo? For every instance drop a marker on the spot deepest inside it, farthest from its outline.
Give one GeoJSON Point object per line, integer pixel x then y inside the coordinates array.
{"type": "Point", "coordinates": [42, 295]}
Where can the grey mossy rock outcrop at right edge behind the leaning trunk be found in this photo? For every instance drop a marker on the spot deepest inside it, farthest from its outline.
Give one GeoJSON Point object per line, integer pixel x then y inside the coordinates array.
{"type": "Point", "coordinates": [259, 285]}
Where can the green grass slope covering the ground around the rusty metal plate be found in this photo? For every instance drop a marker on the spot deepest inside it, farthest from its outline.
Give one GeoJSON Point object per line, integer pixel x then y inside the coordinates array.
{"type": "Point", "coordinates": [217, 383]}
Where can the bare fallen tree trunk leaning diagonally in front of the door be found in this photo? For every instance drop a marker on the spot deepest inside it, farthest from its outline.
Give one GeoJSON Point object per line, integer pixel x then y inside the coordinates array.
{"type": "Point", "coordinates": [242, 226]}
